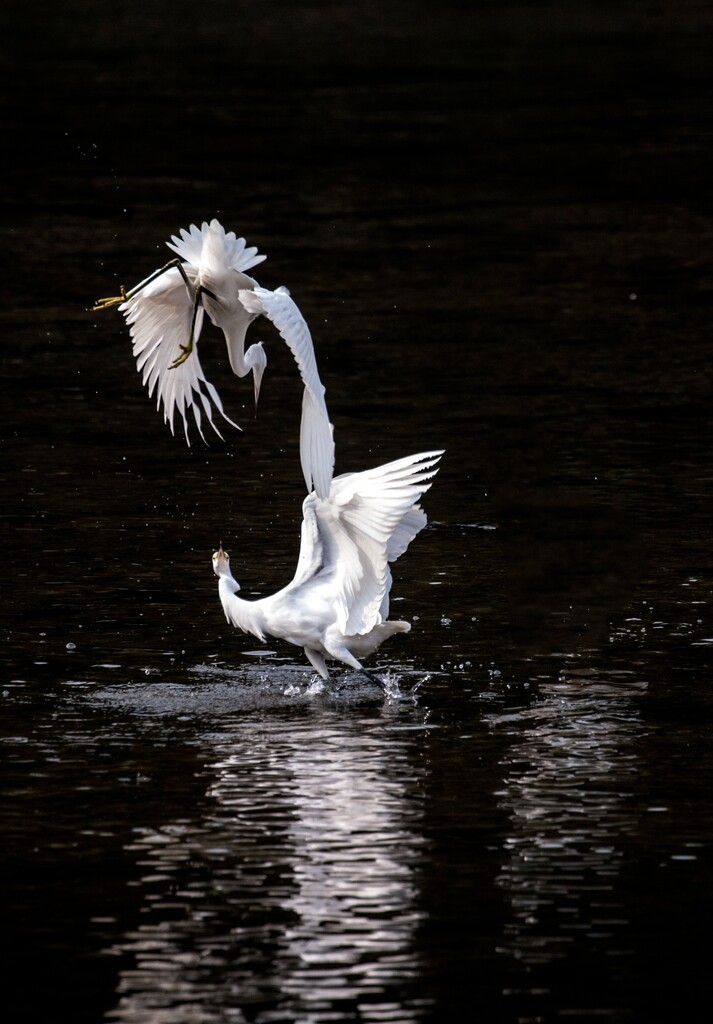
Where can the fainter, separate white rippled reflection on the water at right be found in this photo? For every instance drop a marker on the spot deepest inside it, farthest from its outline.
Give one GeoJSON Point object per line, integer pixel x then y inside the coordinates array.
{"type": "Point", "coordinates": [567, 788]}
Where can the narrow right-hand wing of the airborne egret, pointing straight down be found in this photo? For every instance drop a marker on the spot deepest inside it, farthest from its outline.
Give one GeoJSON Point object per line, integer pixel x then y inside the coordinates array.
{"type": "Point", "coordinates": [316, 439]}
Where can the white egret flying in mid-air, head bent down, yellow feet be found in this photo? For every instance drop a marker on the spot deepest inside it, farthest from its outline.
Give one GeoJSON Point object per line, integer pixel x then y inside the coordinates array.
{"type": "Point", "coordinates": [165, 313]}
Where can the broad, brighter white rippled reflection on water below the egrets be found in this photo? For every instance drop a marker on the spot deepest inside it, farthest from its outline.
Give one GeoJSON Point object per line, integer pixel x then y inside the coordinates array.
{"type": "Point", "coordinates": [292, 897]}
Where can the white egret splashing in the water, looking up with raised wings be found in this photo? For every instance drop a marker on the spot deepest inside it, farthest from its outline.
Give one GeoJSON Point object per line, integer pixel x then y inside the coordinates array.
{"type": "Point", "coordinates": [338, 605]}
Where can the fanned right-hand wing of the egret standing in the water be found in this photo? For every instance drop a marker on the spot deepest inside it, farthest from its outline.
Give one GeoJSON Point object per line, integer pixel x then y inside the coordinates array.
{"type": "Point", "coordinates": [368, 522]}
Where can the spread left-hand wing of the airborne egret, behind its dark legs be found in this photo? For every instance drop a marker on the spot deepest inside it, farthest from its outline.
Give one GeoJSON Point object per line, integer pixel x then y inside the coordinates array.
{"type": "Point", "coordinates": [159, 317]}
